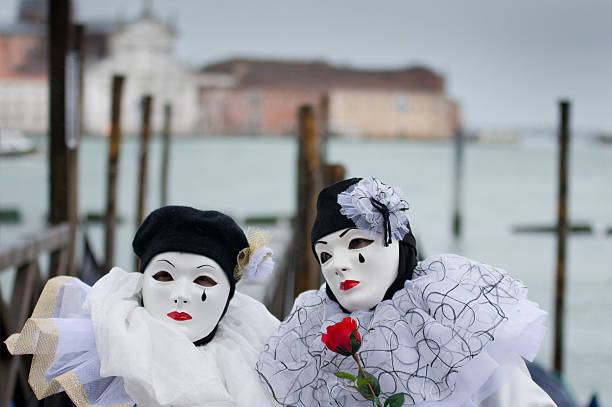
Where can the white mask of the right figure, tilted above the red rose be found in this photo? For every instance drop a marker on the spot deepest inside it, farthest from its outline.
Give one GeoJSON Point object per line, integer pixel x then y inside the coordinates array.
{"type": "Point", "coordinates": [357, 267]}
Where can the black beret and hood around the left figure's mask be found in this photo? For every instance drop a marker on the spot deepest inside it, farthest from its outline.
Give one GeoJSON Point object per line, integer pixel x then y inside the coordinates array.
{"type": "Point", "coordinates": [189, 230]}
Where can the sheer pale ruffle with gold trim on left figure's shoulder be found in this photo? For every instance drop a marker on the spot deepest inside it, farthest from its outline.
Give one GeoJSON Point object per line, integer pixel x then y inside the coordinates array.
{"type": "Point", "coordinates": [60, 336]}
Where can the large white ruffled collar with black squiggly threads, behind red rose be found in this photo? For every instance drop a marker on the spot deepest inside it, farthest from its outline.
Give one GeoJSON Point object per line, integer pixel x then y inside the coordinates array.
{"type": "Point", "coordinates": [448, 338]}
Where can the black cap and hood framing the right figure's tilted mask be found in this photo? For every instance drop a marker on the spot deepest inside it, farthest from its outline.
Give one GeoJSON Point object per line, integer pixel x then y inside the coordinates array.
{"type": "Point", "coordinates": [329, 219]}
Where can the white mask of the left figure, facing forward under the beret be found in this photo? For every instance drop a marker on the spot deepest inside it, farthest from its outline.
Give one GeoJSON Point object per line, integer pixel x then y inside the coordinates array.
{"type": "Point", "coordinates": [188, 290]}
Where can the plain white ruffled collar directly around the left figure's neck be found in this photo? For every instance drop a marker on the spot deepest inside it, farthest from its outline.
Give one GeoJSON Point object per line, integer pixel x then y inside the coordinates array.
{"type": "Point", "coordinates": [160, 366]}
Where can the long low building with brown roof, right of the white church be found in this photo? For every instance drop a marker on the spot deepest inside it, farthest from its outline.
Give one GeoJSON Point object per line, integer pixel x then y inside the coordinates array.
{"type": "Point", "coordinates": [409, 103]}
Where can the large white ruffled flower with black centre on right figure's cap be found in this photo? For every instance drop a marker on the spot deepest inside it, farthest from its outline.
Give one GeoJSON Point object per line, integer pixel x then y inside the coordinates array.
{"type": "Point", "coordinates": [376, 207]}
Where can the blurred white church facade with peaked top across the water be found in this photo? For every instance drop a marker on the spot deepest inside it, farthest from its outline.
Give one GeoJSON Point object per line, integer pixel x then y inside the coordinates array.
{"type": "Point", "coordinates": [143, 52]}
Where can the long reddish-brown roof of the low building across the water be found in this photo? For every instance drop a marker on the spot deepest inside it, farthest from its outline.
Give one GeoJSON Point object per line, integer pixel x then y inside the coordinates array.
{"type": "Point", "coordinates": [319, 75]}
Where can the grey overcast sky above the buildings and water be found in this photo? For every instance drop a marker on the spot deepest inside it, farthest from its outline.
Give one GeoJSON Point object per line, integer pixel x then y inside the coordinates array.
{"type": "Point", "coordinates": [507, 62]}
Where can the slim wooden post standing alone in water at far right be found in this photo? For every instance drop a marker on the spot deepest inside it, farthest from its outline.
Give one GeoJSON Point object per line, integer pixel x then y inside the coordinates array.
{"type": "Point", "coordinates": [564, 136]}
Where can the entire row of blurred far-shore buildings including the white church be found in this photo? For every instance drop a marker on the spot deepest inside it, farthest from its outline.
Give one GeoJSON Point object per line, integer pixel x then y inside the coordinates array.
{"type": "Point", "coordinates": [236, 96]}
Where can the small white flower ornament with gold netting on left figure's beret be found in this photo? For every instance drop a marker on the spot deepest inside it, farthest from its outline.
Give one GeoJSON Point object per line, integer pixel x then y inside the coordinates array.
{"type": "Point", "coordinates": [255, 261]}
